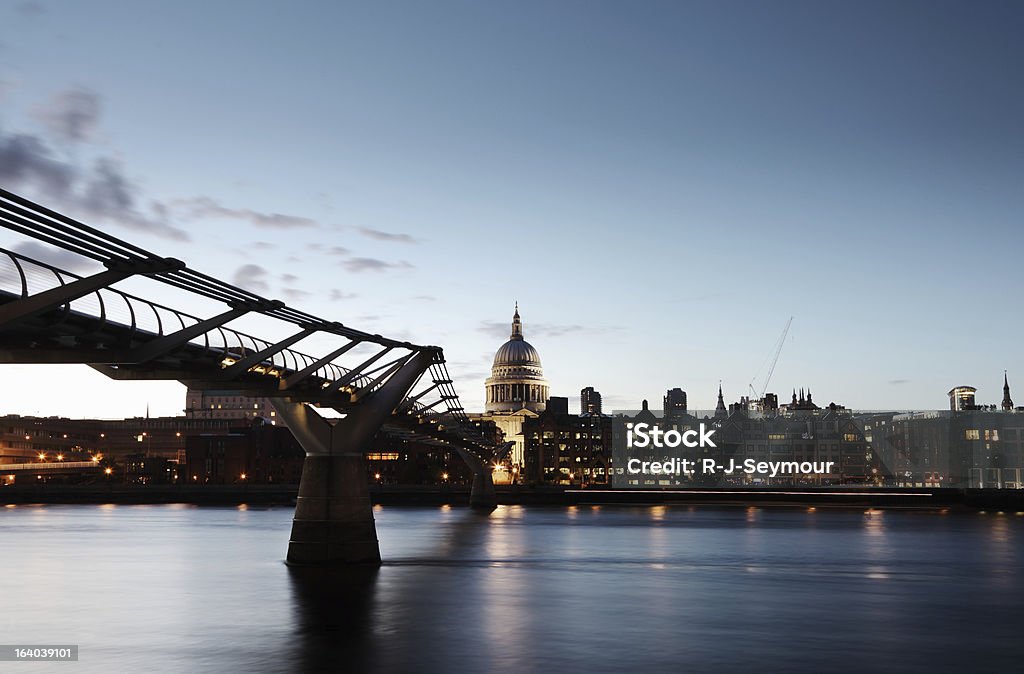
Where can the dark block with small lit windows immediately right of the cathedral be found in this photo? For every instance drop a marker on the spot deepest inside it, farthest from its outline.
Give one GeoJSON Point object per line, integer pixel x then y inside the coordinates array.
{"type": "Point", "coordinates": [568, 449]}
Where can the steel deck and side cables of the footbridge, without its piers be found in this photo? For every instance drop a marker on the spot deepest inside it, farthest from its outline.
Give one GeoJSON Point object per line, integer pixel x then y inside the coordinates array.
{"type": "Point", "coordinates": [51, 315]}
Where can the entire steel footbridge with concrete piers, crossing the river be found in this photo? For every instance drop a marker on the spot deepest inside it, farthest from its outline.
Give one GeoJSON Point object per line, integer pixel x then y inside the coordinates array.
{"type": "Point", "coordinates": [167, 322]}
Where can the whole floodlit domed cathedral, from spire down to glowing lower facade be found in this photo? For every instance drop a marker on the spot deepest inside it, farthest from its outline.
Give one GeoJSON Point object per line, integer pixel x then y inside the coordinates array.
{"type": "Point", "coordinates": [517, 392]}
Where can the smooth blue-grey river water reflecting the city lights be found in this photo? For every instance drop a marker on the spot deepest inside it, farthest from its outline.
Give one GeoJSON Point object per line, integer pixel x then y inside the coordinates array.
{"type": "Point", "coordinates": [188, 589]}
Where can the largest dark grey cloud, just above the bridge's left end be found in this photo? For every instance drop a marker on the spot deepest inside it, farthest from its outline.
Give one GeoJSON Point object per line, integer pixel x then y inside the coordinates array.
{"type": "Point", "coordinates": [102, 192]}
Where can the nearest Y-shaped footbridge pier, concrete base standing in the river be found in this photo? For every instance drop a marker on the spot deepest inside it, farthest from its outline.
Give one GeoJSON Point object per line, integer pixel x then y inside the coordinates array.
{"type": "Point", "coordinates": [334, 520]}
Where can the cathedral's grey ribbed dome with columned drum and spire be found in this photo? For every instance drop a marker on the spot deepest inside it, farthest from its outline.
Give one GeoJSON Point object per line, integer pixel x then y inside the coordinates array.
{"type": "Point", "coordinates": [517, 377]}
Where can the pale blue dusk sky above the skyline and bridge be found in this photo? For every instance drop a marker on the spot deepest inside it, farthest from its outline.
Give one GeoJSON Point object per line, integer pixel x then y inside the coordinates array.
{"type": "Point", "coordinates": [660, 185]}
